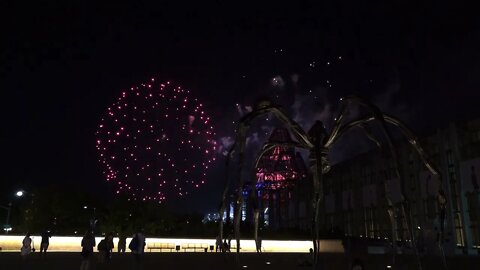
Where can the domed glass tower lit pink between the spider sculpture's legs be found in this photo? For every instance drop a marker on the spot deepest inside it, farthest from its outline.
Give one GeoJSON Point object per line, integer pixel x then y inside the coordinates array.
{"type": "Point", "coordinates": [281, 183]}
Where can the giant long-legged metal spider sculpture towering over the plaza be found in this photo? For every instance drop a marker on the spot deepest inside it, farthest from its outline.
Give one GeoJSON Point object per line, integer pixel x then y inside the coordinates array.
{"type": "Point", "coordinates": [318, 141]}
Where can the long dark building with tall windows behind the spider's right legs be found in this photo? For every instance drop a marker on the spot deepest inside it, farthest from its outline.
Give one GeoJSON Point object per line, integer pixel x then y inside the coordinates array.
{"type": "Point", "coordinates": [355, 201]}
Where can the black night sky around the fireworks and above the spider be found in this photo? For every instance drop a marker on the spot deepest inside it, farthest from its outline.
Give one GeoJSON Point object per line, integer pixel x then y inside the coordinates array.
{"type": "Point", "coordinates": [64, 63]}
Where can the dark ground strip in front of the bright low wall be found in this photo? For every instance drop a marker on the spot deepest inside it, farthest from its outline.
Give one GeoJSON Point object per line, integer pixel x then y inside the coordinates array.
{"type": "Point", "coordinates": [217, 261]}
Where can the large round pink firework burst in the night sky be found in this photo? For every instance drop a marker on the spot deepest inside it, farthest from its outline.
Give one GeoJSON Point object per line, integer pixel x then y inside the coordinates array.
{"type": "Point", "coordinates": [156, 141]}
